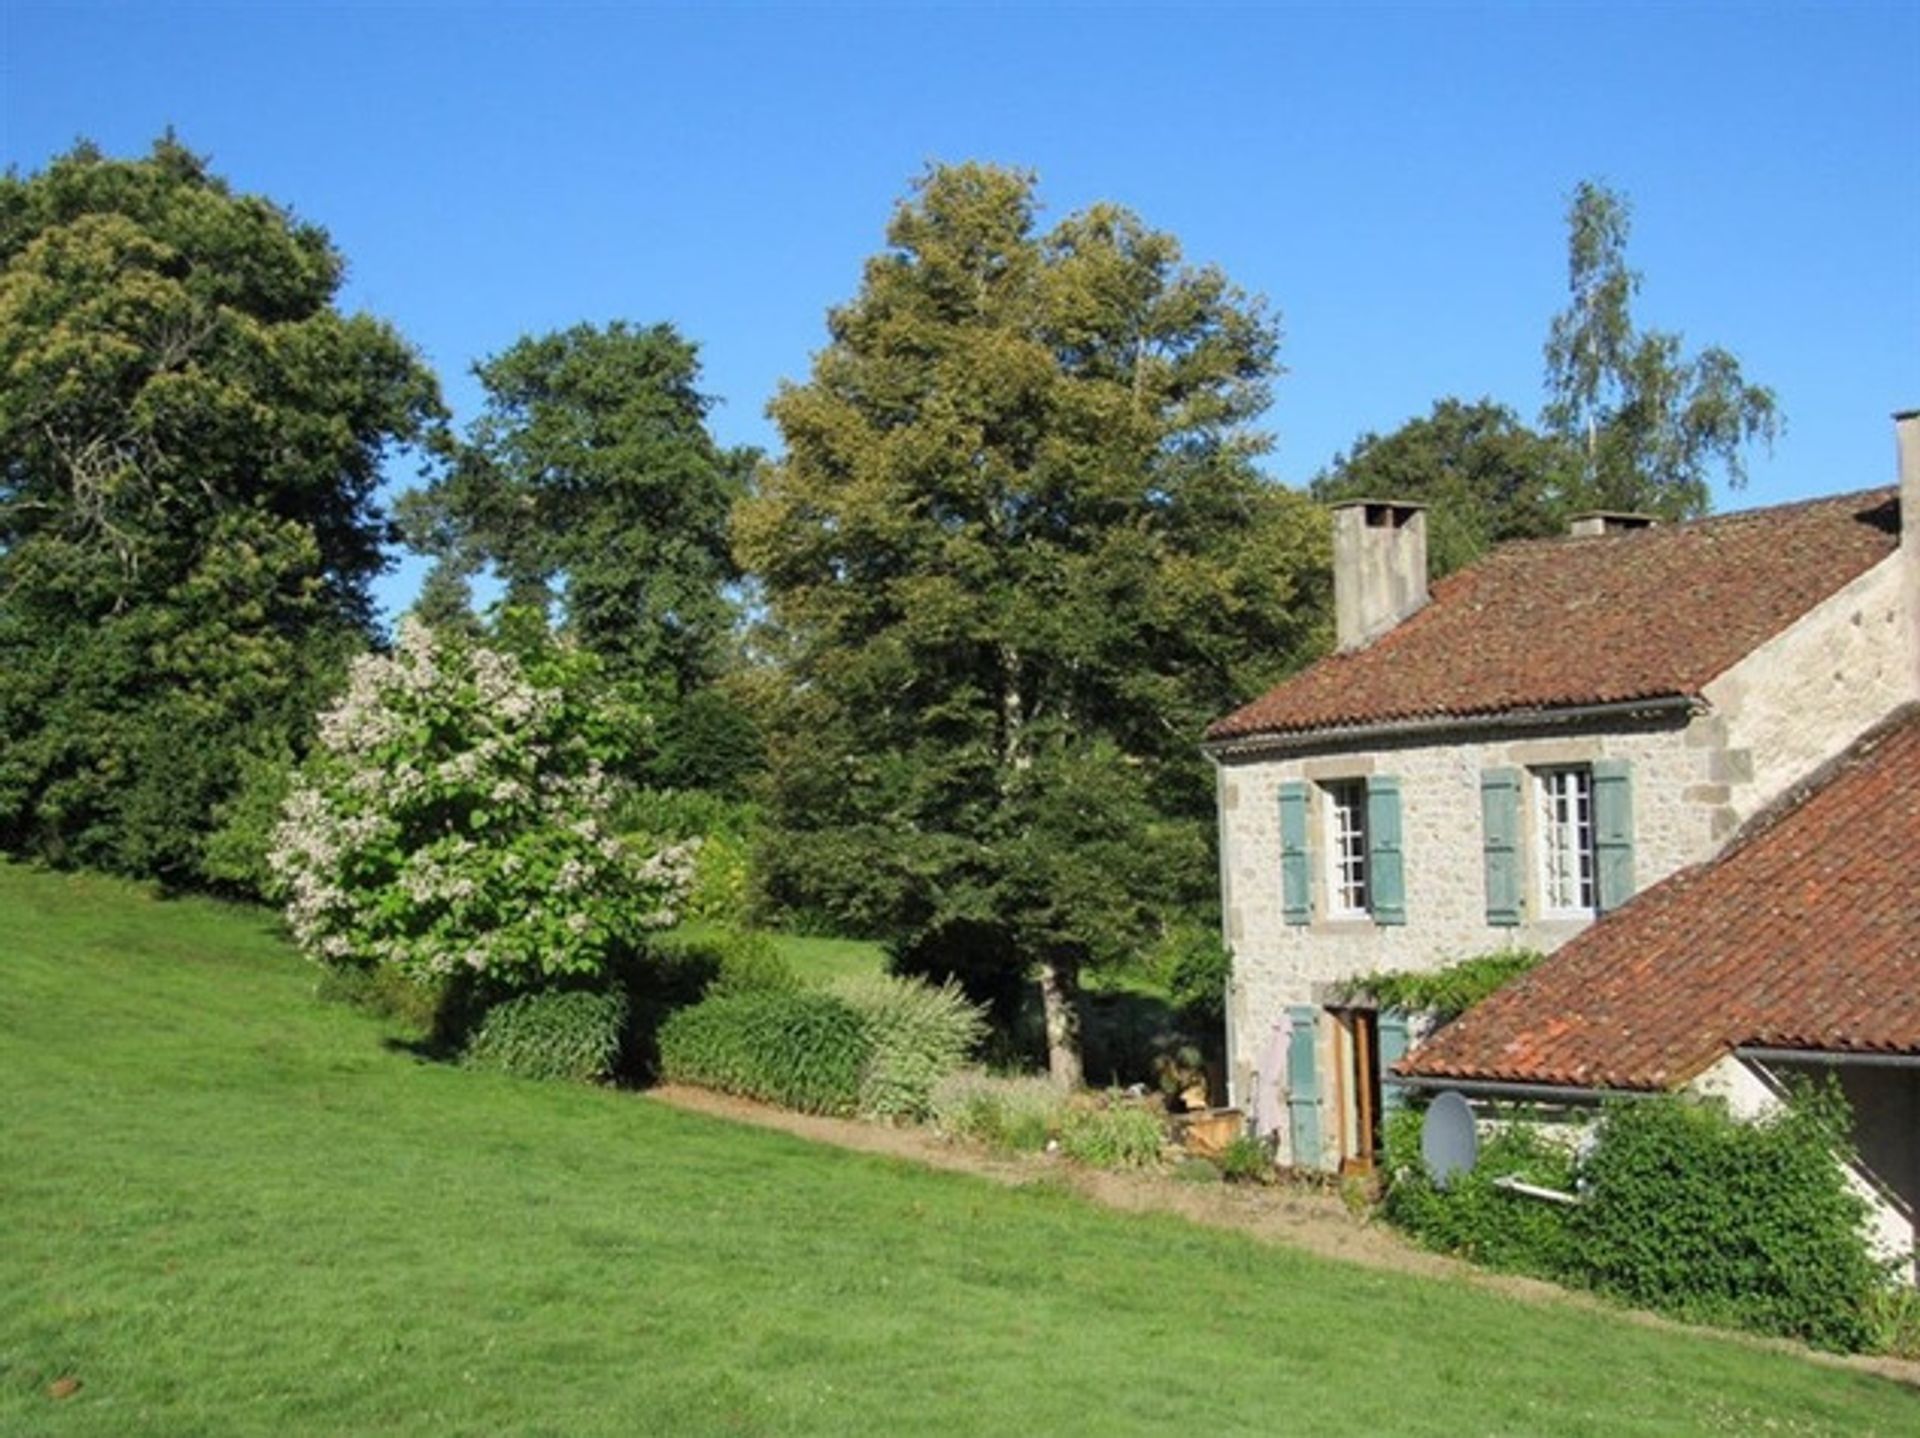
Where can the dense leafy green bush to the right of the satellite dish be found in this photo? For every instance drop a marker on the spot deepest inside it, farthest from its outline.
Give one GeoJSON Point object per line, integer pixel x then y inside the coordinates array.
{"type": "Point", "coordinates": [1748, 1224]}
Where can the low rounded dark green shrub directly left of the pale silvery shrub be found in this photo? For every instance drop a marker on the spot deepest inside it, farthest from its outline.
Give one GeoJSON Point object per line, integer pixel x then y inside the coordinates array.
{"type": "Point", "coordinates": [802, 1049]}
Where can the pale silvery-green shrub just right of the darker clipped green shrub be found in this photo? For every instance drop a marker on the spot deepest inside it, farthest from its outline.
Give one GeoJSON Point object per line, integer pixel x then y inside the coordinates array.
{"type": "Point", "coordinates": [919, 1036]}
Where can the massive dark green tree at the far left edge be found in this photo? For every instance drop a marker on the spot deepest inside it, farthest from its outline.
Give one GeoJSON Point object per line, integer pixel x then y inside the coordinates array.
{"type": "Point", "coordinates": [191, 439]}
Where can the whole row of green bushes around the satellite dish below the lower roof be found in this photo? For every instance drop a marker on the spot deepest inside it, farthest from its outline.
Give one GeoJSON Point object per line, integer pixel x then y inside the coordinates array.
{"type": "Point", "coordinates": [1687, 1210]}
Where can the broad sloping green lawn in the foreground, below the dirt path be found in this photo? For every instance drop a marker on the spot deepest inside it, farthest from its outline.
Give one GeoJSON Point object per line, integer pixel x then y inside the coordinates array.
{"type": "Point", "coordinates": [226, 1209]}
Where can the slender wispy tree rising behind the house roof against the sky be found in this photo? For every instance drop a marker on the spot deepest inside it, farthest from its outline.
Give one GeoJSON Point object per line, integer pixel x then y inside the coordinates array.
{"type": "Point", "coordinates": [1650, 421]}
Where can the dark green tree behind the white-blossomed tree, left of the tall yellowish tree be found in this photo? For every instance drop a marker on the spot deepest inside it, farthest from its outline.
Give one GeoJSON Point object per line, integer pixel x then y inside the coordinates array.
{"type": "Point", "coordinates": [590, 479]}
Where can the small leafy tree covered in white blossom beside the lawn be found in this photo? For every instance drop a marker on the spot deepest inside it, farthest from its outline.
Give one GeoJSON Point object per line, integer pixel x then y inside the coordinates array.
{"type": "Point", "coordinates": [454, 821]}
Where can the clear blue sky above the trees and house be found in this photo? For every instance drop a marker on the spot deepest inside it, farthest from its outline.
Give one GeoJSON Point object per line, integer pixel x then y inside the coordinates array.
{"type": "Point", "coordinates": [1391, 178]}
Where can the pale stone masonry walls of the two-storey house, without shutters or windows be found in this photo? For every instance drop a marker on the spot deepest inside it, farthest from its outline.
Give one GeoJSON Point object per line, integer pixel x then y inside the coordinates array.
{"type": "Point", "coordinates": [1698, 771]}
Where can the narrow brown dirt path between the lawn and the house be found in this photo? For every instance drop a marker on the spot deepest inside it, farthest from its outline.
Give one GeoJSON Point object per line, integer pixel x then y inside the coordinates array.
{"type": "Point", "coordinates": [1301, 1218]}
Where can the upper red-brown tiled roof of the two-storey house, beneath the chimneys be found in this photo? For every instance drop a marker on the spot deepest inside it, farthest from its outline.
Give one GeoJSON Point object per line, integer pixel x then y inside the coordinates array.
{"type": "Point", "coordinates": [1608, 619]}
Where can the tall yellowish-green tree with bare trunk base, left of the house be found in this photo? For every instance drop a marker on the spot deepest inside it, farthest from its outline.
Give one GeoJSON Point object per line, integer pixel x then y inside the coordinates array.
{"type": "Point", "coordinates": [1019, 554]}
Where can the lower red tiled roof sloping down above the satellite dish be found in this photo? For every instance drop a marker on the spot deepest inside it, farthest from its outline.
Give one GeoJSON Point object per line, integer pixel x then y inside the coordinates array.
{"type": "Point", "coordinates": [1804, 934]}
